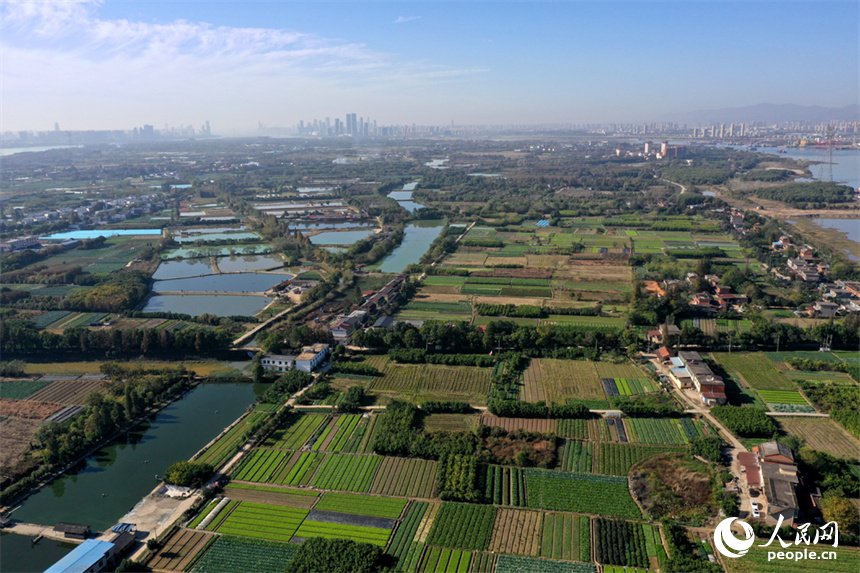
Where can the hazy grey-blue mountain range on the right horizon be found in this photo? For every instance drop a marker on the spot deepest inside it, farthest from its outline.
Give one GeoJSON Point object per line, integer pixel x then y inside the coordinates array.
{"type": "Point", "coordinates": [769, 113]}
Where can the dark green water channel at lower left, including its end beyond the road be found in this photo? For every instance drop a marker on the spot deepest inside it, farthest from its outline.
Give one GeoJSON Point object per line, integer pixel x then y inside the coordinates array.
{"type": "Point", "coordinates": [101, 489]}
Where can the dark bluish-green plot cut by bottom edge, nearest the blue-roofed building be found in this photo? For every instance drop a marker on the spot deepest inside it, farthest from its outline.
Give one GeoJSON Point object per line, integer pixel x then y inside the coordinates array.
{"type": "Point", "coordinates": [235, 554]}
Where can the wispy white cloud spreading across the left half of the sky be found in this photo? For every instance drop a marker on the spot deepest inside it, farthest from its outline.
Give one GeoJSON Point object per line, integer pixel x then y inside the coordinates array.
{"type": "Point", "coordinates": [62, 62]}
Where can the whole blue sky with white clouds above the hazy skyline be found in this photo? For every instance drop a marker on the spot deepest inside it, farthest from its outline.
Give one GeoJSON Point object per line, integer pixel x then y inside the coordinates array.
{"type": "Point", "coordinates": [93, 64]}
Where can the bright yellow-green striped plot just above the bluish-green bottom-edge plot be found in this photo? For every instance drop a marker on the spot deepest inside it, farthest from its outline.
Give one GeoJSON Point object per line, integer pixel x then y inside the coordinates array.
{"type": "Point", "coordinates": [261, 521]}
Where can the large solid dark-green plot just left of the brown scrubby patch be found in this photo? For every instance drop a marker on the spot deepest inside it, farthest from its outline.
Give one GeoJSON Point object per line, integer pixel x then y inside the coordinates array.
{"type": "Point", "coordinates": [580, 493]}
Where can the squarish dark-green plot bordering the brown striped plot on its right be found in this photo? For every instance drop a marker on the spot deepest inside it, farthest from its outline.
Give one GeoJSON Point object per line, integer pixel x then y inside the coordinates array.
{"type": "Point", "coordinates": [463, 526]}
